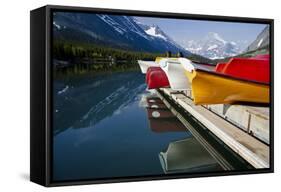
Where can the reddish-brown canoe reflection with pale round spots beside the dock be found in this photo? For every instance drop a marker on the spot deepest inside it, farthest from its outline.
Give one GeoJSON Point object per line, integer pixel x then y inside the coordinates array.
{"type": "Point", "coordinates": [161, 119]}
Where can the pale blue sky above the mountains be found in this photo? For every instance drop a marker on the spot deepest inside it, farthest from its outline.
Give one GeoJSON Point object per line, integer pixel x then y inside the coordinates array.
{"type": "Point", "coordinates": [182, 30]}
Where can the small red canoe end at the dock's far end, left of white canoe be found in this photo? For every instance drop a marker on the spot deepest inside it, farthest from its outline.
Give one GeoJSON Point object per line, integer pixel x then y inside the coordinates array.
{"type": "Point", "coordinates": [156, 78]}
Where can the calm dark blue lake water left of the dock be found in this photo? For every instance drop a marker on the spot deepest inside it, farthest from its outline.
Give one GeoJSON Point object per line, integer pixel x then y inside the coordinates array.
{"type": "Point", "coordinates": [104, 127]}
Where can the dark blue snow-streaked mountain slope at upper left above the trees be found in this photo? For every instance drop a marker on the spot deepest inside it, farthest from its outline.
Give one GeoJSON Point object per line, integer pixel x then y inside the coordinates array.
{"type": "Point", "coordinates": [123, 32]}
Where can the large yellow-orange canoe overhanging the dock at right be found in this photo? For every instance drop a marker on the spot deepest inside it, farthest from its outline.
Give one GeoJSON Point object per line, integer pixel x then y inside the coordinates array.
{"type": "Point", "coordinates": [214, 88]}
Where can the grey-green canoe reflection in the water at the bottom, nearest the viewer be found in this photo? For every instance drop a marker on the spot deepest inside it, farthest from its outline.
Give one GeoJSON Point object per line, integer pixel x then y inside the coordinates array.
{"type": "Point", "coordinates": [187, 156]}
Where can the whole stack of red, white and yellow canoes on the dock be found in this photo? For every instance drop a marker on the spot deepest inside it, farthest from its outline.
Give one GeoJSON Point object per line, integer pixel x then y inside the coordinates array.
{"type": "Point", "coordinates": [240, 80]}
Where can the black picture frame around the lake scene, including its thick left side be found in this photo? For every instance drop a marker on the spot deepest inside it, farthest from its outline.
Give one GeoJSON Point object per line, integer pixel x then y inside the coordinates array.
{"type": "Point", "coordinates": [41, 93]}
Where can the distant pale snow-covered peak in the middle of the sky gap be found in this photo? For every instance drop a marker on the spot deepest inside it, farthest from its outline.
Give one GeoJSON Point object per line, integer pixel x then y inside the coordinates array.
{"type": "Point", "coordinates": [213, 46]}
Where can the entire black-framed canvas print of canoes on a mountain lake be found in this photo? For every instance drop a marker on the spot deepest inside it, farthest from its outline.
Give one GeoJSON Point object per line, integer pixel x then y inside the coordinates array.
{"type": "Point", "coordinates": [119, 95]}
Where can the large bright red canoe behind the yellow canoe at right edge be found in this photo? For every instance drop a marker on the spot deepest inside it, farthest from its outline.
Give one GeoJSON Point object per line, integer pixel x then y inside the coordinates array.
{"type": "Point", "coordinates": [255, 68]}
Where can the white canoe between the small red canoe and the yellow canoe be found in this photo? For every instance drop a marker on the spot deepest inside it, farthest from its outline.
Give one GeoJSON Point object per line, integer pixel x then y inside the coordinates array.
{"type": "Point", "coordinates": [175, 73]}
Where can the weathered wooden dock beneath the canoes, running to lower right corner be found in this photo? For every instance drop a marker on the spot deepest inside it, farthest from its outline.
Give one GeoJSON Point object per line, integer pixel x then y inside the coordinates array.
{"type": "Point", "coordinates": [234, 126]}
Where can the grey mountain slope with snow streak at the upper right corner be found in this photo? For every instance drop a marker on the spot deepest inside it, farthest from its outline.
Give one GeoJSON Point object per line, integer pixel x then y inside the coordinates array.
{"type": "Point", "coordinates": [262, 40]}
